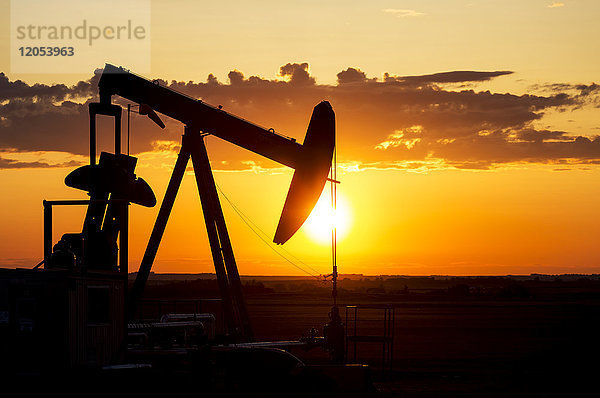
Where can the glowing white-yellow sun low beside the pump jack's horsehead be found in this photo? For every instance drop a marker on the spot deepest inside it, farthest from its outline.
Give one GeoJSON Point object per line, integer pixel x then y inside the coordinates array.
{"type": "Point", "coordinates": [322, 219]}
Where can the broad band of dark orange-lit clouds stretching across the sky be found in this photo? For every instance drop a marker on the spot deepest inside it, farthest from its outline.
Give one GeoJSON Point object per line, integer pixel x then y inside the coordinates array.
{"type": "Point", "coordinates": [410, 119]}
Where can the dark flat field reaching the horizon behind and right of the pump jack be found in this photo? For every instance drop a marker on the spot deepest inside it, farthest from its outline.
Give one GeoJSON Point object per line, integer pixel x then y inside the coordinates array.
{"type": "Point", "coordinates": [466, 338]}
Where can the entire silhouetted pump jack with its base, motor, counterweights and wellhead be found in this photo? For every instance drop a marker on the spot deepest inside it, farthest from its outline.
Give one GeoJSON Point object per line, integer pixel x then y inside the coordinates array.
{"type": "Point", "coordinates": [74, 313]}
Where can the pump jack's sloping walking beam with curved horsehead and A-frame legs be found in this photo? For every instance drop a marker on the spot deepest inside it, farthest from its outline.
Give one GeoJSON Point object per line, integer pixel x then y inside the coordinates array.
{"type": "Point", "coordinates": [311, 161]}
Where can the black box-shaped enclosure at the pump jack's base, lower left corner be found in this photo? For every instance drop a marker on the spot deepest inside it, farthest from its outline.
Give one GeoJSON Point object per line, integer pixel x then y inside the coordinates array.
{"type": "Point", "coordinates": [56, 319]}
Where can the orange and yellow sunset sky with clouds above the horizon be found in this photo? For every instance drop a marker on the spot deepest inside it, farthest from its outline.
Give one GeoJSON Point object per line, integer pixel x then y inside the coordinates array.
{"type": "Point", "coordinates": [473, 152]}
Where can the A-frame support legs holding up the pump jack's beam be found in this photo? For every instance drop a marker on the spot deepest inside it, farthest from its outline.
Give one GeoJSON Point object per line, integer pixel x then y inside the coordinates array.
{"type": "Point", "coordinates": [234, 306]}
